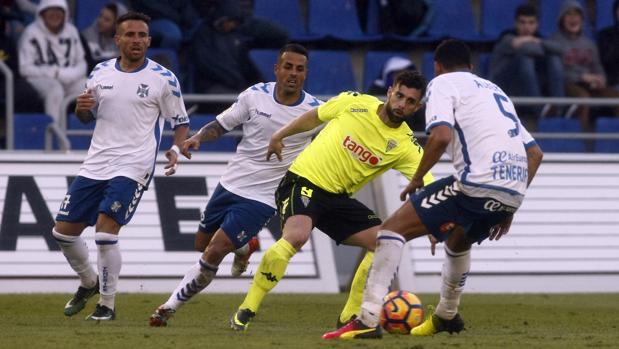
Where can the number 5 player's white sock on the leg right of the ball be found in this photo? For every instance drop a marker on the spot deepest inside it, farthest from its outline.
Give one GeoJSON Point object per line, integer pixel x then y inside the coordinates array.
{"type": "Point", "coordinates": [455, 270]}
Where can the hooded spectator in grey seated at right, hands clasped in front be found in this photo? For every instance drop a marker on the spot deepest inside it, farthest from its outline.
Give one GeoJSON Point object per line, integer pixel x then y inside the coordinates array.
{"type": "Point", "coordinates": [584, 74]}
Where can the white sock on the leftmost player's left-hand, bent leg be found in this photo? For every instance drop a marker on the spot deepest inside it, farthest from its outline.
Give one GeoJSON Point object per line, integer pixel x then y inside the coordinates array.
{"type": "Point", "coordinates": [76, 252]}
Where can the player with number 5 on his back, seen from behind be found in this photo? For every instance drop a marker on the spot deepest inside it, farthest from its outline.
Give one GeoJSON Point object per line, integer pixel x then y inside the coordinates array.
{"type": "Point", "coordinates": [495, 159]}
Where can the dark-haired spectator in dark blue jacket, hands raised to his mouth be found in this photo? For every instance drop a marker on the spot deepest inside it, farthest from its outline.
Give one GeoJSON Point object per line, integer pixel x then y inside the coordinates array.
{"type": "Point", "coordinates": [523, 63]}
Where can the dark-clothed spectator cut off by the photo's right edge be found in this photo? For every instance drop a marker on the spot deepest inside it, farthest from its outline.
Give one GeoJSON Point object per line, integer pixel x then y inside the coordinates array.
{"type": "Point", "coordinates": [608, 42]}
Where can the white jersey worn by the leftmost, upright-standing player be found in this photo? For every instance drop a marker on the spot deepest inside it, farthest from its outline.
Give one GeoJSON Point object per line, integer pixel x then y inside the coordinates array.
{"type": "Point", "coordinates": [130, 112]}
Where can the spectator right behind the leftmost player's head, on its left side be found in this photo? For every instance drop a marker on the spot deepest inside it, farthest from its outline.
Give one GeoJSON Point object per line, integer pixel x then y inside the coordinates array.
{"type": "Point", "coordinates": [99, 36]}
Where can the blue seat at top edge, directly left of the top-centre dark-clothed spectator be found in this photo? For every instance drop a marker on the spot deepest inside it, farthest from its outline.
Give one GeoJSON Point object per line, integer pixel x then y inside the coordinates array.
{"type": "Point", "coordinates": [336, 19]}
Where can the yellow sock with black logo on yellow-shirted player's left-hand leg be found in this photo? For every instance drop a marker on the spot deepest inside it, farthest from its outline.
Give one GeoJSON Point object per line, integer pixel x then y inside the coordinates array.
{"type": "Point", "coordinates": [270, 271]}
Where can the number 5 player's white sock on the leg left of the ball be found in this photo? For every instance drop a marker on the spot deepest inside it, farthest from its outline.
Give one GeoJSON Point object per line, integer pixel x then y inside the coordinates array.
{"type": "Point", "coordinates": [386, 261]}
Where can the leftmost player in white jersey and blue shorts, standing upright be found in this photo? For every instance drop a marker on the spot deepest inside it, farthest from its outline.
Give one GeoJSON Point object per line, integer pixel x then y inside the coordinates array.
{"type": "Point", "coordinates": [129, 97]}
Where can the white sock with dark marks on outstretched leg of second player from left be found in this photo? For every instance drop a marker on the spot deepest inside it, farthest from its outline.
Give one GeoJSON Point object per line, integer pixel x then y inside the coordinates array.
{"type": "Point", "coordinates": [196, 279]}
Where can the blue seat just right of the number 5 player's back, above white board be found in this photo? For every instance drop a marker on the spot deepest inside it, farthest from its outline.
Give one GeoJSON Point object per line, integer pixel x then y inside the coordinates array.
{"type": "Point", "coordinates": [560, 125]}
